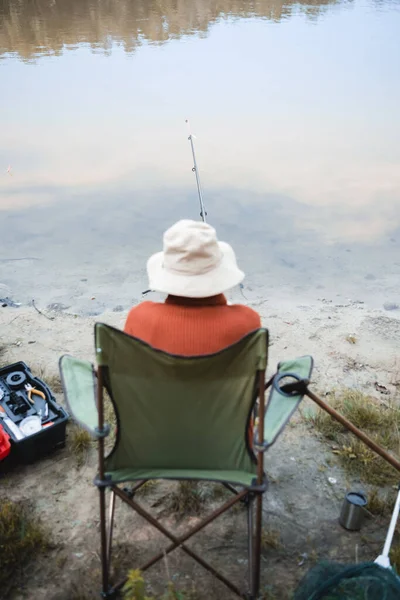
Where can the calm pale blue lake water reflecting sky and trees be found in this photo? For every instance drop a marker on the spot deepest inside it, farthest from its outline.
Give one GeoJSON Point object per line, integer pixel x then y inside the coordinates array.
{"type": "Point", "coordinates": [295, 108]}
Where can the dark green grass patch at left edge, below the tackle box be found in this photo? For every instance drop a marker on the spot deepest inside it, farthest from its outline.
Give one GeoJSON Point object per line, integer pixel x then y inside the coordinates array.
{"type": "Point", "coordinates": [21, 539]}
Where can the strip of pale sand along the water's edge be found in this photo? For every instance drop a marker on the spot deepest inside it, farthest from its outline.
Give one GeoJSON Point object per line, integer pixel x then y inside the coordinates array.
{"type": "Point", "coordinates": [352, 345]}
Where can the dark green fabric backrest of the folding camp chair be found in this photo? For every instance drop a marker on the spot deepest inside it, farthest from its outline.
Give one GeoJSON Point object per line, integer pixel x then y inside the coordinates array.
{"type": "Point", "coordinates": [180, 412]}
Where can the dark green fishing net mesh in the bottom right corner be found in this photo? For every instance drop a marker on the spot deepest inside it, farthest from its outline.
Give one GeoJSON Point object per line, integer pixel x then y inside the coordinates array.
{"type": "Point", "coordinates": [334, 581]}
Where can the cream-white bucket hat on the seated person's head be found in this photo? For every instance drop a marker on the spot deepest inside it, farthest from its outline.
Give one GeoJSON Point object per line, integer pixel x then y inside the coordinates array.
{"type": "Point", "coordinates": [194, 264]}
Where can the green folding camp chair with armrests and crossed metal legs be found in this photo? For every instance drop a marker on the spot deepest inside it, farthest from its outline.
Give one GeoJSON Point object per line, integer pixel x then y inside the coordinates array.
{"type": "Point", "coordinates": [183, 418]}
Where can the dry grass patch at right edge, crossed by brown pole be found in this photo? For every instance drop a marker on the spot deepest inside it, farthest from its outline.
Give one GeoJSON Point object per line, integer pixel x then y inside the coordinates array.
{"type": "Point", "coordinates": [380, 422]}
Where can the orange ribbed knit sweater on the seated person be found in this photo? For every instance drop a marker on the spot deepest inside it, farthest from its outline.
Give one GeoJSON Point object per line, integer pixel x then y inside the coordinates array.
{"type": "Point", "coordinates": [190, 326]}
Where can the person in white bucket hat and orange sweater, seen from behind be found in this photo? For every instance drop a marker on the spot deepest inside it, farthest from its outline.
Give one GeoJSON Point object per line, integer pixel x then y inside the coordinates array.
{"type": "Point", "coordinates": [194, 269]}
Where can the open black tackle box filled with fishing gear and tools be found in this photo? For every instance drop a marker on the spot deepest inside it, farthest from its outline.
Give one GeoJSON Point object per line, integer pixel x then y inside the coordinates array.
{"type": "Point", "coordinates": [29, 415]}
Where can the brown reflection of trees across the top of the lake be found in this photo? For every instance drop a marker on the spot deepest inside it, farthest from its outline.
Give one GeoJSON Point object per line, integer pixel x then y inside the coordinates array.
{"type": "Point", "coordinates": [30, 29]}
